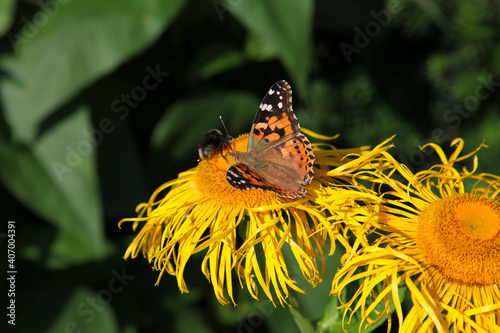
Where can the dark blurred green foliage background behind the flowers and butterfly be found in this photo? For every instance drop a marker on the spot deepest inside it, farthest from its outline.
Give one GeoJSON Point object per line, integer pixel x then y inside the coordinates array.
{"type": "Point", "coordinates": [103, 101]}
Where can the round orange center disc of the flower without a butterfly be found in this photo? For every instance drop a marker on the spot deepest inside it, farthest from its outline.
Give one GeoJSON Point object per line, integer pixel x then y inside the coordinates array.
{"type": "Point", "coordinates": [460, 236]}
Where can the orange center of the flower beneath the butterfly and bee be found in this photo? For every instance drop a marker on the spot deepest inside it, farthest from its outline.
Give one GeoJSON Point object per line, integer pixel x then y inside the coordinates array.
{"type": "Point", "coordinates": [212, 183]}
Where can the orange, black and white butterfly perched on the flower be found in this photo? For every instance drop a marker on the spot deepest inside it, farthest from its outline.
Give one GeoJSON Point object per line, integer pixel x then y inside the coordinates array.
{"type": "Point", "coordinates": [278, 158]}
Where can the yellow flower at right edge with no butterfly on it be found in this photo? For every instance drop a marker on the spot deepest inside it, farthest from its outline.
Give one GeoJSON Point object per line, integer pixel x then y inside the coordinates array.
{"type": "Point", "coordinates": [438, 234]}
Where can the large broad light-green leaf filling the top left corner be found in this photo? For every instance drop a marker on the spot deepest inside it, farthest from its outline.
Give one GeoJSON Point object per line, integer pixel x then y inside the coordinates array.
{"type": "Point", "coordinates": [80, 42]}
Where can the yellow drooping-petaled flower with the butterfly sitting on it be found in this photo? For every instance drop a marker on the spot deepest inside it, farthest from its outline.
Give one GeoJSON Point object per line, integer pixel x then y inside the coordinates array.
{"type": "Point", "coordinates": [246, 232]}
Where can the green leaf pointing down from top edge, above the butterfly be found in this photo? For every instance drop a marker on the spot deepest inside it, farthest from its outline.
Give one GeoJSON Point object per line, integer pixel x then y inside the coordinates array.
{"type": "Point", "coordinates": [285, 24]}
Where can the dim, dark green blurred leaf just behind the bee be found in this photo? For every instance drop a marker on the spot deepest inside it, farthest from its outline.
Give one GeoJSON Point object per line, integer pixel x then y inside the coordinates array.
{"type": "Point", "coordinates": [178, 130]}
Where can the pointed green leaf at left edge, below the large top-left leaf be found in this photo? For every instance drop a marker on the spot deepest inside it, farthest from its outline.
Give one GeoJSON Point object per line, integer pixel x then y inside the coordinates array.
{"type": "Point", "coordinates": [56, 178]}
